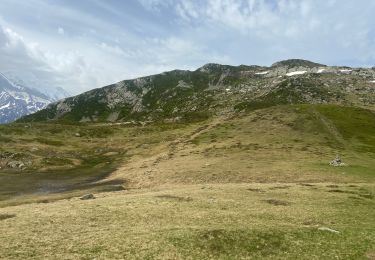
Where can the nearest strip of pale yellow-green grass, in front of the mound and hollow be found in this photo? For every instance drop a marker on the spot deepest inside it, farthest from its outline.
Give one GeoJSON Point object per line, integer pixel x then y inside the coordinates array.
{"type": "Point", "coordinates": [228, 221]}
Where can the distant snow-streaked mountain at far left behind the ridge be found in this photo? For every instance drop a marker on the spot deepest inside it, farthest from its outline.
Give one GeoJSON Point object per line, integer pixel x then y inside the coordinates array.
{"type": "Point", "coordinates": [17, 101]}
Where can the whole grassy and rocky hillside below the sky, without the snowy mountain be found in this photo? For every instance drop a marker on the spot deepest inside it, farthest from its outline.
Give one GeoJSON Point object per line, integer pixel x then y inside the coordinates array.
{"type": "Point", "coordinates": [220, 163]}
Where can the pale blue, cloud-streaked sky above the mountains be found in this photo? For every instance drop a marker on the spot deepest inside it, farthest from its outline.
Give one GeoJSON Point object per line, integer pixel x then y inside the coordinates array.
{"type": "Point", "coordinates": [81, 45]}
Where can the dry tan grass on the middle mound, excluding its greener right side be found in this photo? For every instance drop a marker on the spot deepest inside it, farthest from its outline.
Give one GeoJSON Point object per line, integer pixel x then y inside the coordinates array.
{"type": "Point", "coordinates": [261, 147]}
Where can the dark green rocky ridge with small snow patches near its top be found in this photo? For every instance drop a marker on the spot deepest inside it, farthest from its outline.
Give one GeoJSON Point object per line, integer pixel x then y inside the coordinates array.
{"type": "Point", "coordinates": [215, 89]}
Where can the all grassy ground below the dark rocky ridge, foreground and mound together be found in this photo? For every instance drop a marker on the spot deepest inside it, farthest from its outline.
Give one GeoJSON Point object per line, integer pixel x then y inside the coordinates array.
{"type": "Point", "coordinates": [251, 185]}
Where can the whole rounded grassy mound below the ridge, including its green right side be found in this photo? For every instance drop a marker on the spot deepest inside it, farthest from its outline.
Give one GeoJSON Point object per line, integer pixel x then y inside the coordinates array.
{"type": "Point", "coordinates": [278, 144]}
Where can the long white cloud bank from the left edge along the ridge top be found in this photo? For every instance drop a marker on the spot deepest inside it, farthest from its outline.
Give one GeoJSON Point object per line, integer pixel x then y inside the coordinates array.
{"type": "Point", "coordinates": [87, 65]}
